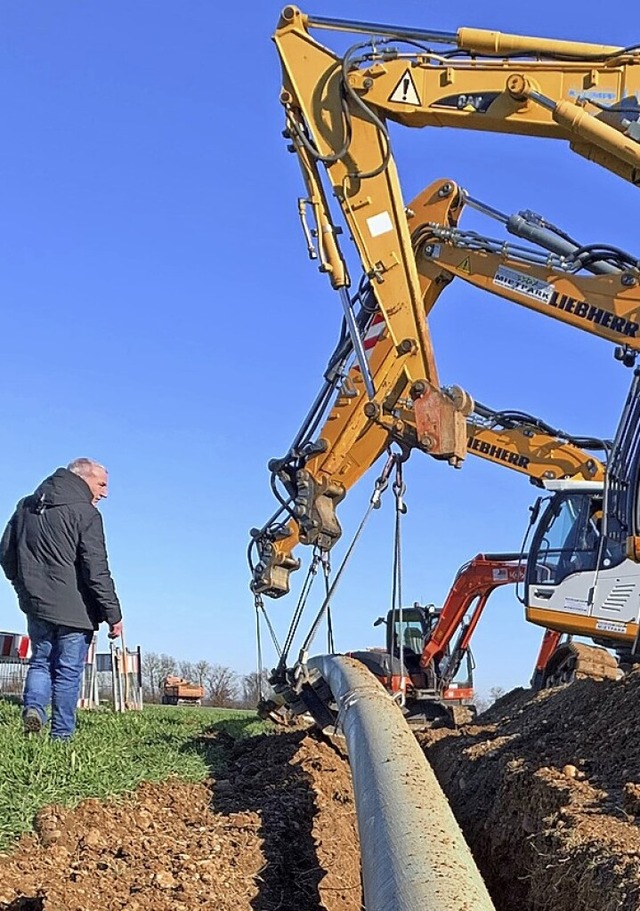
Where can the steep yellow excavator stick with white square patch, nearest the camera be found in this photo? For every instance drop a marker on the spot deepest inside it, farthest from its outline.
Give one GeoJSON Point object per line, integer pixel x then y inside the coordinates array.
{"type": "Point", "coordinates": [372, 207]}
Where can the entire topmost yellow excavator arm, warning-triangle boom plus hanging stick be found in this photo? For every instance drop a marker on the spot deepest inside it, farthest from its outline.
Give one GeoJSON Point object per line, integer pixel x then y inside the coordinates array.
{"type": "Point", "coordinates": [336, 108]}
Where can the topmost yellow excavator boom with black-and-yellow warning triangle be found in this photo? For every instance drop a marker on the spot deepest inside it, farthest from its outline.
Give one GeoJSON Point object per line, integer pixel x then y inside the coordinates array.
{"type": "Point", "coordinates": [583, 93]}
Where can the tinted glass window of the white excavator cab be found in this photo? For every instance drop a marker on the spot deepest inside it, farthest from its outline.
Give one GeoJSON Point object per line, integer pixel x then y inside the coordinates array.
{"type": "Point", "coordinates": [568, 539]}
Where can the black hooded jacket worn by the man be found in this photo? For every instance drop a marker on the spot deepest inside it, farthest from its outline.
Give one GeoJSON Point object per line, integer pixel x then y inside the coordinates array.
{"type": "Point", "coordinates": [54, 554]}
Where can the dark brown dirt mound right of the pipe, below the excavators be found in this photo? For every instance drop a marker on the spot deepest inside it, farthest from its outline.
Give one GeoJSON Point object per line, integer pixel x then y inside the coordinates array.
{"type": "Point", "coordinates": [547, 791]}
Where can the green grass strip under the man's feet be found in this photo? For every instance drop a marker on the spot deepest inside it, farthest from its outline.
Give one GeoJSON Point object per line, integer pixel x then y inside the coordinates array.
{"type": "Point", "coordinates": [110, 754]}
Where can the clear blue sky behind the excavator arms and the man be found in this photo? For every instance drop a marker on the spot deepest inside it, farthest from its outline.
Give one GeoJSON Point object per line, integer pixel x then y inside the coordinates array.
{"type": "Point", "coordinates": [159, 313]}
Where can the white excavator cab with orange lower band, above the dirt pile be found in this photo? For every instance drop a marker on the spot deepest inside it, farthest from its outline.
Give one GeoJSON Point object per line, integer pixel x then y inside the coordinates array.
{"type": "Point", "coordinates": [578, 580]}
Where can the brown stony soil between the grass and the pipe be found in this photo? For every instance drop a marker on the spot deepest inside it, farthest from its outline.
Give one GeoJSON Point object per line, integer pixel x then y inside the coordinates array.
{"type": "Point", "coordinates": [277, 832]}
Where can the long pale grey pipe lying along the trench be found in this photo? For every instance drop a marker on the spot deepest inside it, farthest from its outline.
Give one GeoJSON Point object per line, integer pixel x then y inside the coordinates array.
{"type": "Point", "coordinates": [414, 857]}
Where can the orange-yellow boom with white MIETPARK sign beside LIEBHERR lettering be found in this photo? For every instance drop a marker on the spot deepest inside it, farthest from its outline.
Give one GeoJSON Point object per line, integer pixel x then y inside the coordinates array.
{"type": "Point", "coordinates": [605, 304]}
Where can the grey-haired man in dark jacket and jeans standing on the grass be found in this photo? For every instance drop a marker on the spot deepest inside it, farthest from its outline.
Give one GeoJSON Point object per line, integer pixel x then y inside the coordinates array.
{"type": "Point", "coordinates": [53, 552]}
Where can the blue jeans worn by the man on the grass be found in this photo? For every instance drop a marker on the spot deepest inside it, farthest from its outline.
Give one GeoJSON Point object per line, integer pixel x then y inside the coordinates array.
{"type": "Point", "coordinates": [58, 656]}
